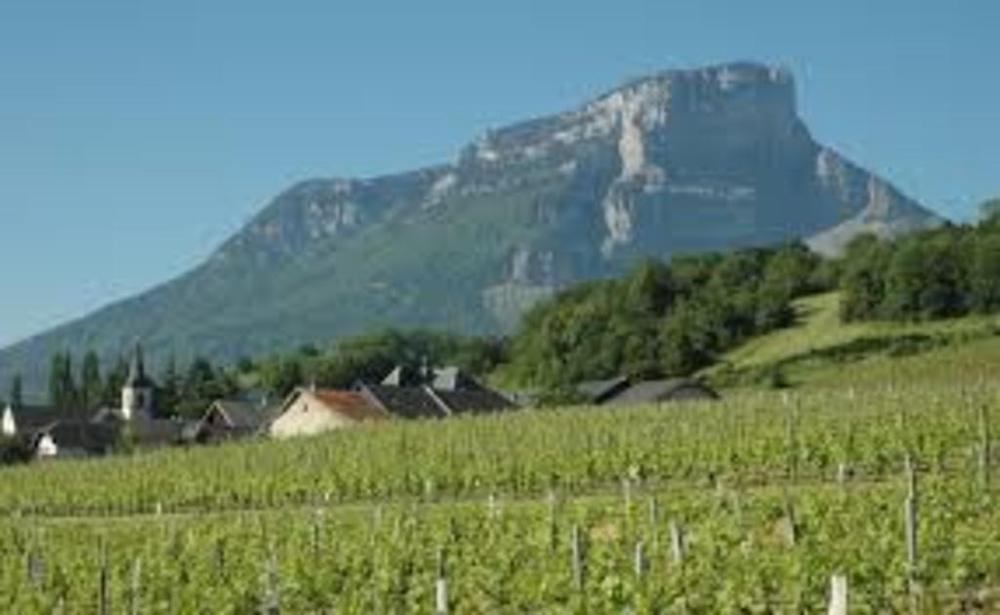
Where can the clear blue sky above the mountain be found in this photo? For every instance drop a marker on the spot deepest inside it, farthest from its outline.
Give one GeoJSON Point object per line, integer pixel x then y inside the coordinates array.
{"type": "Point", "coordinates": [135, 136]}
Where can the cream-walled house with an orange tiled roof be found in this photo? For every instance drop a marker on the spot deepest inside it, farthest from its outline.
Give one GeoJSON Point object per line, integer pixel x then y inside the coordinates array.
{"type": "Point", "coordinates": [309, 411]}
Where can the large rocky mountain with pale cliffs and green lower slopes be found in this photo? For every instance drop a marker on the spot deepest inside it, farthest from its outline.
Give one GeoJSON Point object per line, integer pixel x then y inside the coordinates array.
{"type": "Point", "coordinates": [680, 161]}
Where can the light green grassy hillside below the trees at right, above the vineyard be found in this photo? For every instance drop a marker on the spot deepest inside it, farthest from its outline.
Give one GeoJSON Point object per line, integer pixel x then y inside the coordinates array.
{"type": "Point", "coordinates": [821, 351]}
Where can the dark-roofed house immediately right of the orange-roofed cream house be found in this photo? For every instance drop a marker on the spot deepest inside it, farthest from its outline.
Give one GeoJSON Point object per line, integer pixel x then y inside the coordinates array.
{"type": "Point", "coordinates": [439, 393]}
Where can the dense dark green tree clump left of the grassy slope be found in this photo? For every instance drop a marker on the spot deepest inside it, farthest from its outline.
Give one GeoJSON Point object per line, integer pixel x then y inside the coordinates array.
{"type": "Point", "coordinates": [660, 319]}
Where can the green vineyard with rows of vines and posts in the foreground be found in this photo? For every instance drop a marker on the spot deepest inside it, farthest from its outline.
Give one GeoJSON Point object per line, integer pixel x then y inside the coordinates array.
{"type": "Point", "coordinates": [749, 504]}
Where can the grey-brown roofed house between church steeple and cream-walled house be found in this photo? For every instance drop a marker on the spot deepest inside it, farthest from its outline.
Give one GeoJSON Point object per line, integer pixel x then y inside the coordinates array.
{"type": "Point", "coordinates": [228, 419]}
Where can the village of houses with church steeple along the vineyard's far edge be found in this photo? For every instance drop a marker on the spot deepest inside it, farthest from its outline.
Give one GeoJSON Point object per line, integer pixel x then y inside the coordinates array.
{"type": "Point", "coordinates": [46, 433]}
